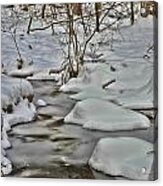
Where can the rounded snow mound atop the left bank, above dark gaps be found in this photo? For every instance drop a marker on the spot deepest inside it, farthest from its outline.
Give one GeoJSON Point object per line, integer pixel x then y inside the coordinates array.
{"type": "Point", "coordinates": [12, 89]}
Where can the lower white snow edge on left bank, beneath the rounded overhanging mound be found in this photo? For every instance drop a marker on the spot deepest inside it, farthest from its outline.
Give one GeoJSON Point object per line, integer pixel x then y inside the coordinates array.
{"type": "Point", "coordinates": [22, 113]}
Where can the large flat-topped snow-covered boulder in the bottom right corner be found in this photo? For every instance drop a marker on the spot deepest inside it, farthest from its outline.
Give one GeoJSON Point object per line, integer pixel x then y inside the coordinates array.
{"type": "Point", "coordinates": [127, 156]}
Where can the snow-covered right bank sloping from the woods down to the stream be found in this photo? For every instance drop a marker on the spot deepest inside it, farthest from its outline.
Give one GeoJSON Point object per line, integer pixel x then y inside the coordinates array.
{"type": "Point", "coordinates": [129, 73]}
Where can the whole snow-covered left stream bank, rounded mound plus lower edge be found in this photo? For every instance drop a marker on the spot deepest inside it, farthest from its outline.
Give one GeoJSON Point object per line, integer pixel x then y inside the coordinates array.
{"type": "Point", "coordinates": [17, 108]}
